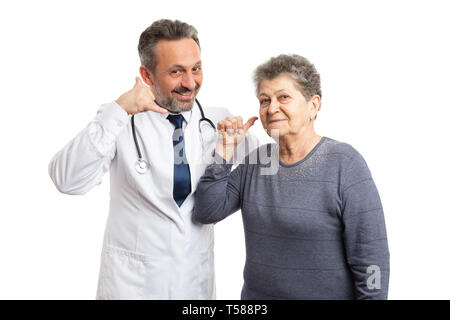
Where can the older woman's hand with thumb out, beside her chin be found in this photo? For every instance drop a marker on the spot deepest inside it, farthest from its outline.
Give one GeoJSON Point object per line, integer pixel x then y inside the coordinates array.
{"type": "Point", "coordinates": [231, 132]}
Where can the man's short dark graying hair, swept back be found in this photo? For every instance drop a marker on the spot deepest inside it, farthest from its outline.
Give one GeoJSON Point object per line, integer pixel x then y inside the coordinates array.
{"type": "Point", "coordinates": [163, 29]}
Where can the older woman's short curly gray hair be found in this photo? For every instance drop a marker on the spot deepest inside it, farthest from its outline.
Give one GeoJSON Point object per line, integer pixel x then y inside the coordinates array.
{"type": "Point", "coordinates": [299, 68]}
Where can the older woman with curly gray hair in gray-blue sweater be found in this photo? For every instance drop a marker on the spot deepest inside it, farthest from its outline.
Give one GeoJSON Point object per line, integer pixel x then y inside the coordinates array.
{"type": "Point", "coordinates": [314, 228]}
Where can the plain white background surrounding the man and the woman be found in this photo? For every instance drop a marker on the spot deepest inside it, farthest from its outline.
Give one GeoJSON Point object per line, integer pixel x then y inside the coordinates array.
{"type": "Point", "coordinates": [385, 77]}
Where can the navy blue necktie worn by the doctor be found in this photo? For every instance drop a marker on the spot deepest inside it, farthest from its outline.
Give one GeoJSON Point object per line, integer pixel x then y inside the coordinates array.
{"type": "Point", "coordinates": [181, 173]}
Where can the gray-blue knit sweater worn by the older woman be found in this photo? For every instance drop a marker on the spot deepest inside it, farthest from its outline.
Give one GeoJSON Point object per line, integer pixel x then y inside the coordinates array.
{"type": "Point", "coordinates": [313, 230]}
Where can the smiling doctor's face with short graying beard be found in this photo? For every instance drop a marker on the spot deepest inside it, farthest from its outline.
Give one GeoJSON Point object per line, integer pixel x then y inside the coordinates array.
{"type": "Point", "coordinates": [178, 74]}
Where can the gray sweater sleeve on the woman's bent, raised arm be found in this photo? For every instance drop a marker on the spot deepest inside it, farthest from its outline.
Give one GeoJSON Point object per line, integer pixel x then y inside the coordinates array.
{"type": "Point", "coordinates": [218, 192]}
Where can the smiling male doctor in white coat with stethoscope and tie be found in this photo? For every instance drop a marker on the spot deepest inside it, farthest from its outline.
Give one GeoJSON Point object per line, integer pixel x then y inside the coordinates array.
{"type": "Point", "coordinates": [152, 248]}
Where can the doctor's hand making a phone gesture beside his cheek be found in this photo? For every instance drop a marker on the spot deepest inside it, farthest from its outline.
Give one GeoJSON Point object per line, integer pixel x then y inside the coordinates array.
{"type": "Point", "coordinates": [139, 99]}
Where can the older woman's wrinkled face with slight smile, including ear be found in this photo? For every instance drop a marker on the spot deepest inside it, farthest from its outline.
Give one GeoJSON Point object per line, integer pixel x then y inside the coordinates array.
{"type": "Point", "coordinates": [283, 108]}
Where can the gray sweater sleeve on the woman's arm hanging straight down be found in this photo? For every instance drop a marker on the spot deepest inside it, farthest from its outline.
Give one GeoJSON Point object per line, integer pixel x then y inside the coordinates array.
{"type": "Point", "coordinates": [365, 235]}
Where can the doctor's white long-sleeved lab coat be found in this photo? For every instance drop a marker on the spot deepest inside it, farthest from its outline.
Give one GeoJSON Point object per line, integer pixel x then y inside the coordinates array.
{"type": "Point", "coordinates": [152, 249]}
